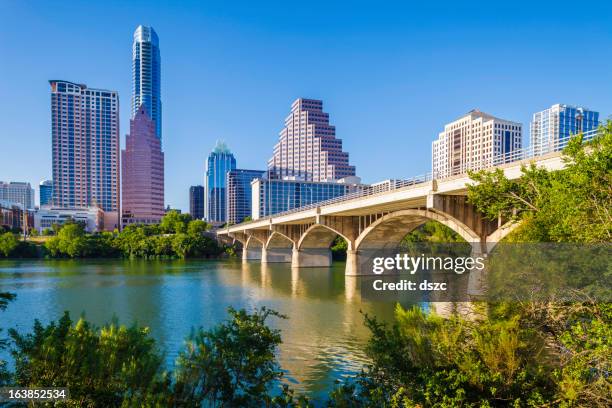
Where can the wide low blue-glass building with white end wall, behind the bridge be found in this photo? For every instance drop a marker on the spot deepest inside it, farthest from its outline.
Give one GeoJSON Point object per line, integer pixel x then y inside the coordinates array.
{"type": "Point", "coordinates": [272, 196]}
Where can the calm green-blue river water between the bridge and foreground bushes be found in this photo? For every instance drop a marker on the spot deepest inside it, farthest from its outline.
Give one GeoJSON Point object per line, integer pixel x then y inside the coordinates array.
{"type": "Point", "coordinates": [323, 336]}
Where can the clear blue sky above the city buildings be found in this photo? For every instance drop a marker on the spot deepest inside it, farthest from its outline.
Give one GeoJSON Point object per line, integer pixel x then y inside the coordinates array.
{"type": "Point", "coordinates": [391, 74]}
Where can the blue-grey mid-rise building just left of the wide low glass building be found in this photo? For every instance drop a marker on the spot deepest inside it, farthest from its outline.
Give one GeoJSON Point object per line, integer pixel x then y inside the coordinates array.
{"type": "Point", "coordinates": [238, 195]}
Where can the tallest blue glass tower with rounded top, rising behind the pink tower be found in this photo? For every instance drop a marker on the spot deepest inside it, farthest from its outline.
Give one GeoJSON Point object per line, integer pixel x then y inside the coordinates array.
{"type": "Point", "coordinates": [146, 75]}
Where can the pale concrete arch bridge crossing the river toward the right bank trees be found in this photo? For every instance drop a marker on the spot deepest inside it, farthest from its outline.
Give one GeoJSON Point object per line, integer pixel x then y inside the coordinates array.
{"type": "Point", "coordinates": [376, 219]}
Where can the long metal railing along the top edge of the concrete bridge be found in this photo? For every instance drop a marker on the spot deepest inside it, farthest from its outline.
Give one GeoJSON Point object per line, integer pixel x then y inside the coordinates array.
{"type": "Point", "coordinates": [391, 185]}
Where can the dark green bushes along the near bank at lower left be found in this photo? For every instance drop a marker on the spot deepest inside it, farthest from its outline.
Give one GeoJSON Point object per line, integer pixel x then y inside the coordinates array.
{"type": "Point", "coordinates": [232, 364]}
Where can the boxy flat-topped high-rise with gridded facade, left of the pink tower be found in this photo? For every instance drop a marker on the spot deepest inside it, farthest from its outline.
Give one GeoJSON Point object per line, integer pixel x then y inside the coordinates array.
{"type": "Point", "coordinates": [85, 140]}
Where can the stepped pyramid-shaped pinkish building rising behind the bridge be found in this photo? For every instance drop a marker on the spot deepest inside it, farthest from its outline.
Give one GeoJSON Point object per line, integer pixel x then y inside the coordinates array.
{"type": "Point", "coordinates": [308, 147]}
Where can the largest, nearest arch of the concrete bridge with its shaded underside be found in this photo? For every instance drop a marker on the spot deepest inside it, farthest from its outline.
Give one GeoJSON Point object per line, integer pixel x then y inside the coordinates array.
{"type": "Point", "coordinates": [392, 227]}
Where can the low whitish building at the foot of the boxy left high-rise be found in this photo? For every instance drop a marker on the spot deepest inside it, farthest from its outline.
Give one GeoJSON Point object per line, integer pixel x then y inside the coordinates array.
{"type": "Point", "coordinates": [92, 218]}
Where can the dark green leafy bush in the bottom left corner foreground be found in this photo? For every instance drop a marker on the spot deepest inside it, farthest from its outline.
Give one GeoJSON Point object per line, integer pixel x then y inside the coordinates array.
{"type": "Point", "coordinates": [102, 367]}
